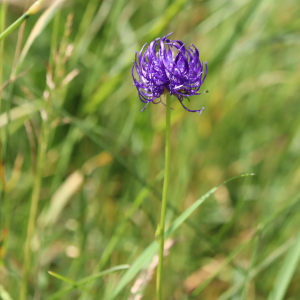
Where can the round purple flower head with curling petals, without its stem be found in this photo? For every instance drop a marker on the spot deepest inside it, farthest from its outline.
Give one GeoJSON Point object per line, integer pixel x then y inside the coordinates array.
{"type": "Point", "coordinates": [174, 68]}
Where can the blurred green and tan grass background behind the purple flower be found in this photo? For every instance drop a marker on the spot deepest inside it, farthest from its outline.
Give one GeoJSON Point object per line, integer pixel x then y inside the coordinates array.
{"type": "Point", "coordinates": [73, 135]}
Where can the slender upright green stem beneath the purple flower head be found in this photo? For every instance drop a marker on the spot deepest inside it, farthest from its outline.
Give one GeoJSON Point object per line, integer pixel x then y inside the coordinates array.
{"type": "Point", "coordinates": [164, 199]}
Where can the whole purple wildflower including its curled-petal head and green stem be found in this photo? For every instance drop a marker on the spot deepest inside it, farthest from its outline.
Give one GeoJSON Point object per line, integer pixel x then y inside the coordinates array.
{"type": "Point", "coordinates": [165, 68]}
